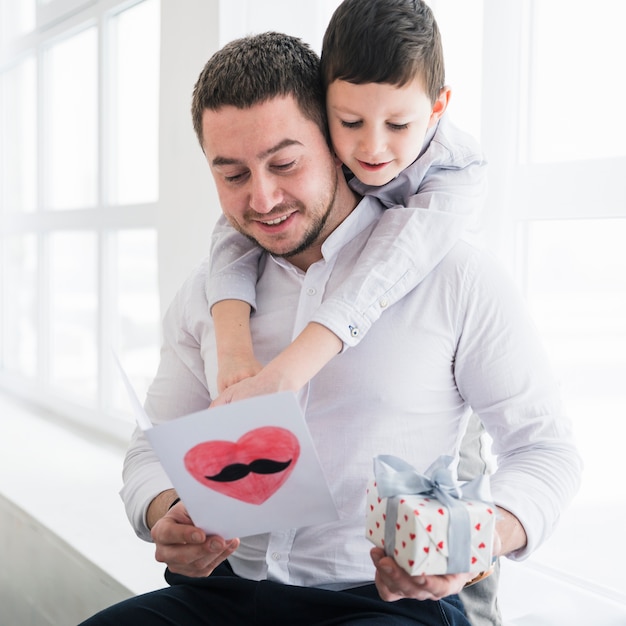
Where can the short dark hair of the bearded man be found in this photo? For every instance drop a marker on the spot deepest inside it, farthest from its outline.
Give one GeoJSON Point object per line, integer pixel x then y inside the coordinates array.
{"type": "Point", "coordinates": [257, 68]}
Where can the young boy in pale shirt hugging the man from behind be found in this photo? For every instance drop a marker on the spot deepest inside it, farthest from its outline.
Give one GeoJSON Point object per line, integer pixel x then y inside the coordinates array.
{"type": "Point", "coordinates": [384, 78]}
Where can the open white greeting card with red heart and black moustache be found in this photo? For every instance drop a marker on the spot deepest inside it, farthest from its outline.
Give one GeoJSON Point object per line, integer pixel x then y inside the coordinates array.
{"type": "Point", "coordinates": [243, 468]}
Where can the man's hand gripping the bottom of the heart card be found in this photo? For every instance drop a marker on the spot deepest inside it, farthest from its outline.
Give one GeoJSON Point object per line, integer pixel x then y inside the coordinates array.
{"type": "Point", "coordinates": [186, 549]}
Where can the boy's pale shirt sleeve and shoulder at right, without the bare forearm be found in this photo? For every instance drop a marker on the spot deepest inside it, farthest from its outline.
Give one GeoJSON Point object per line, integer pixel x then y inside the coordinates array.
{"type": "Point", "coordinates": [411, 237]}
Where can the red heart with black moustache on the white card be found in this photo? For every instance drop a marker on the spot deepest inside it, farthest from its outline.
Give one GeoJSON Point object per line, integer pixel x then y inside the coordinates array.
{"type": "Point", "coordinates": [277, 450]}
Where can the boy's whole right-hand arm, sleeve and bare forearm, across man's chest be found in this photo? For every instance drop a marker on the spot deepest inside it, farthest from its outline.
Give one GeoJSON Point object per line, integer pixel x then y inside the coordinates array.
{"type": "Point", "coordinates": [407, 243]}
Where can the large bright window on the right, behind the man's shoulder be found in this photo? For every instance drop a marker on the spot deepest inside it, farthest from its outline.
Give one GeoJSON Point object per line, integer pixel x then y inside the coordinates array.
{"type": "Point", "coordinates": [557, 214]}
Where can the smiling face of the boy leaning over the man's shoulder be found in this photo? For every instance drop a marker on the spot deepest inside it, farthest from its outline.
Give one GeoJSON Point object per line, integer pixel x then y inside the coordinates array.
{"type": "Point", "coordinates": [378, 129]}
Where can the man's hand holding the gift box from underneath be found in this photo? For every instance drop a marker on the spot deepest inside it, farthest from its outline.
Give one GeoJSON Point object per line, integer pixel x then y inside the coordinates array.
{"type": "Point", "coordinates": [393, 583]}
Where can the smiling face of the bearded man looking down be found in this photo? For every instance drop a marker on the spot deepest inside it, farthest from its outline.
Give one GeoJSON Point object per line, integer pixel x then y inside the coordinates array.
{"type": "Point", "coordinates": [275, 175]}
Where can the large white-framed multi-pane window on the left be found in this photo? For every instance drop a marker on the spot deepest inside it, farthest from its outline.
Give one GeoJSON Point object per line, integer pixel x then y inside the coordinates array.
{"type": "Point", "coordinates": [79, 95]}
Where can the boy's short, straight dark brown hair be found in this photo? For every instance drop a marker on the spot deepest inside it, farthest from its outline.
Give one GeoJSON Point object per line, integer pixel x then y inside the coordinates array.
{"type": "Point", "coordinates": [383, 41]}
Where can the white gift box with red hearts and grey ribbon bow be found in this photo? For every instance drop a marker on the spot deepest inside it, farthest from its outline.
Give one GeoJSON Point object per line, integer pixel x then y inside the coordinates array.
{"type": "Point", "coordinates": [431, 523]}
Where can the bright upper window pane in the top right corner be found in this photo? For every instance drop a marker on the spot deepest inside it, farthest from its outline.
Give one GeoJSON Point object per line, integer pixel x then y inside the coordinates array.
{"type": "Point", "coordinates": [578, 93]}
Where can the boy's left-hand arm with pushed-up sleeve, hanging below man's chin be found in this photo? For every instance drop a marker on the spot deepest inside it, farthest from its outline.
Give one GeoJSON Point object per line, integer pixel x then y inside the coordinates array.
{"type": "Point", "coordinates": [231, 290]}
